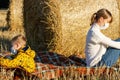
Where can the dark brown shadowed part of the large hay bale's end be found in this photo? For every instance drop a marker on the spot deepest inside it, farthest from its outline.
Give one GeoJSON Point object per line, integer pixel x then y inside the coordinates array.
{"type": "Point", "coordinates": [36, 25]}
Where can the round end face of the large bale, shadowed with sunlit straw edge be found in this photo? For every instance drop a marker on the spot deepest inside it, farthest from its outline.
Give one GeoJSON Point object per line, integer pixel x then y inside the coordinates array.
{"type": "Point", "coordinates": [42, 24]}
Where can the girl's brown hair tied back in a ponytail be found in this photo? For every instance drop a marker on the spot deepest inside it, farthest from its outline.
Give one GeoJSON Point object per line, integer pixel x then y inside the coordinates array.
{"type": "Point", "coordinates": [101, 13]}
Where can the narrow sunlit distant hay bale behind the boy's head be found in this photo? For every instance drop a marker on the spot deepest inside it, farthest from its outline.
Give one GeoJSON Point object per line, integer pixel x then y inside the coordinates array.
{"type": "Point", "coordinates": [16, 19]}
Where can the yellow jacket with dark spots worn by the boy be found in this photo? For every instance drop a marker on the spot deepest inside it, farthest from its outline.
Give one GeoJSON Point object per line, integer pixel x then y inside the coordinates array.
{"type": "Point", "coordinates": [24, 59]}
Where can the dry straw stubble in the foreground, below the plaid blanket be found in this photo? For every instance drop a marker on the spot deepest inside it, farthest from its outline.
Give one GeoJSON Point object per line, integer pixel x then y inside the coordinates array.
{"type": "Point", "coordinates": [70, 74]}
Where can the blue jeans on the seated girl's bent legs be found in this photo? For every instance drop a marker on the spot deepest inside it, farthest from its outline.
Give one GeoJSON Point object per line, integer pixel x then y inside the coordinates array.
{"type": "Point", "coordinates": [110, 57]}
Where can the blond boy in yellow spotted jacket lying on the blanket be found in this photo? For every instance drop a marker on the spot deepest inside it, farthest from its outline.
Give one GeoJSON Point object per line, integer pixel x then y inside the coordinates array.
{"type": "Point", "coordinates": [24, 57]}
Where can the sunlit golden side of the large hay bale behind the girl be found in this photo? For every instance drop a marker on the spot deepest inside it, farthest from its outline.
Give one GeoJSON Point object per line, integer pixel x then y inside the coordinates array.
{"type": "Point", "coordinates": [76, 19]}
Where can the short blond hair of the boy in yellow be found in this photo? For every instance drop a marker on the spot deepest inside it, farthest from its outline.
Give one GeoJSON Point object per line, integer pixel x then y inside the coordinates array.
{"type": "Point", "coordinates": [19, 39]}
